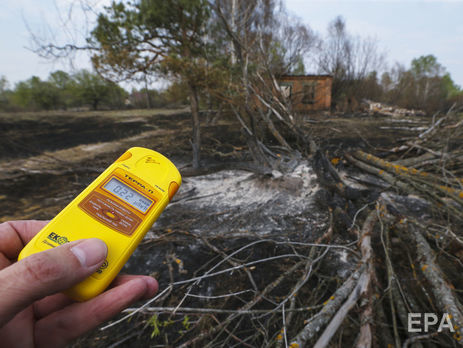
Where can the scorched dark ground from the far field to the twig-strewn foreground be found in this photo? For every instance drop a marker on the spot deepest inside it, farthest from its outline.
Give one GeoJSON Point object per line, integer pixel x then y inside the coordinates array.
{"type": "Point", "coordinates": [283, 245]}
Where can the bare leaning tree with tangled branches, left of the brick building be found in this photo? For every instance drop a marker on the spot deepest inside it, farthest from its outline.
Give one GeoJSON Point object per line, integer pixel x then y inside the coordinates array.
{"type": "Point", "coordinates": [266, 43]}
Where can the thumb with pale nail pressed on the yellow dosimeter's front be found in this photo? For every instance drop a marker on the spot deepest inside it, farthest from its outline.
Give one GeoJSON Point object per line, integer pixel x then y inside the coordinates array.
{"type": "Point", "coordinates": [46, 273]}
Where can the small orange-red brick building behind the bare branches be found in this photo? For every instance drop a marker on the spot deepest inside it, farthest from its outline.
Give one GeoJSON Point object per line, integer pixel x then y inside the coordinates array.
{"type": "Point", "coordinates": [307, 92]}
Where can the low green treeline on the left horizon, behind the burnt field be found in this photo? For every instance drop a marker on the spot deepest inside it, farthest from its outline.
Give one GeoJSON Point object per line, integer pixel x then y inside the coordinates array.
{"type": "Point", "coordinates": [81, 91]}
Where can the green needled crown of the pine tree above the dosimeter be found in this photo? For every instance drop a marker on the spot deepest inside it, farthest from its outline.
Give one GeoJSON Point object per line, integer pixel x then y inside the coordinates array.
{"type": "Point", "coordinates": [148, 36]}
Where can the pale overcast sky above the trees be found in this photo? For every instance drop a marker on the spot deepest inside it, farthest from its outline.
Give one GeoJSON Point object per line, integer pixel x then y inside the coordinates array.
{"type": "Point", "coordinates": [404, 30]}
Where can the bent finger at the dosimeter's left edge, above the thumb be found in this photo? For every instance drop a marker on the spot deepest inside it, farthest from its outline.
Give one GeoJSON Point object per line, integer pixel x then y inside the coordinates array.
{"type": "Point", "coordinates": [14, 235]}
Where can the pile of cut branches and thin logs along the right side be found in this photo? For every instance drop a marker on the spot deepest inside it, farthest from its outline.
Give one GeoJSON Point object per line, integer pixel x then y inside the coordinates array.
{"type": "Point", "coordinates": [414, 237]}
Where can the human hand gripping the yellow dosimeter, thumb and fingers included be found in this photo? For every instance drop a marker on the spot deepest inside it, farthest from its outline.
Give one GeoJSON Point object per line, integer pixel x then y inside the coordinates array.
{"type": "Point", "coordinates": [33, 312]}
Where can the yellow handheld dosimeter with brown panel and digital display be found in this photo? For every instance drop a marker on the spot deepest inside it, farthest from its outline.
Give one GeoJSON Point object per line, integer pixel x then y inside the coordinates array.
{"type": "Point", "coordinates": [119, 207]}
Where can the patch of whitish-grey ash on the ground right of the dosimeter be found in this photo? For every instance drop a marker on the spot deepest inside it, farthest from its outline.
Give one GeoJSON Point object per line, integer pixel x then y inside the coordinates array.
{"type": "Point", "coordinates": [237, 201]}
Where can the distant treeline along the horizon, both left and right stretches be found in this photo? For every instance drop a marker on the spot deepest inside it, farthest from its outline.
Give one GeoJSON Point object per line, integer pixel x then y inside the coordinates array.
{"type": "Point", "coordinates": [425, 85]}
